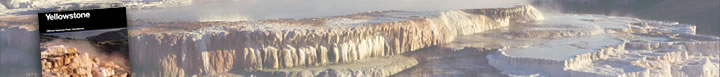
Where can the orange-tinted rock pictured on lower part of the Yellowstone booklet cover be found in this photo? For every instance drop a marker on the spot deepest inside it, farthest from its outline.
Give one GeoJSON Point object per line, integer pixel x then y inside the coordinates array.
{"type": "Point", "coordinates": [58, 61]}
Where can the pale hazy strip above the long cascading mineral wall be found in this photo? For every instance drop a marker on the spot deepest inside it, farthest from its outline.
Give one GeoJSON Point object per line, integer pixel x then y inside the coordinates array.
{"type": "Point", "coordinates": [270, 9]}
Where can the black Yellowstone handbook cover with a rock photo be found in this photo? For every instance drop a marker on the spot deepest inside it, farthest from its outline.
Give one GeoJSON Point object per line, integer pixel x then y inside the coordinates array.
{"type": "Point", "coordinates": [84, 43]}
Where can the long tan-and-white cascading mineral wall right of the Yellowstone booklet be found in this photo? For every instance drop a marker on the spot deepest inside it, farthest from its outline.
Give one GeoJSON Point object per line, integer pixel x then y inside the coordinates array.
{"type": "Point", "coordinates": [286, 43]}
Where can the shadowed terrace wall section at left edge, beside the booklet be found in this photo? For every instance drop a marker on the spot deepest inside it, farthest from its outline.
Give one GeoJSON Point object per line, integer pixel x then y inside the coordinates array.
{"type": "Point", "coordinates": [17, 50]}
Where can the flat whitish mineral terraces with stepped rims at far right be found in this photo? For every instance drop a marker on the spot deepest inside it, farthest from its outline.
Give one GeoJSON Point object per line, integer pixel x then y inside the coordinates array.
{"type": "Point", "coordinates": [622, 46]}
